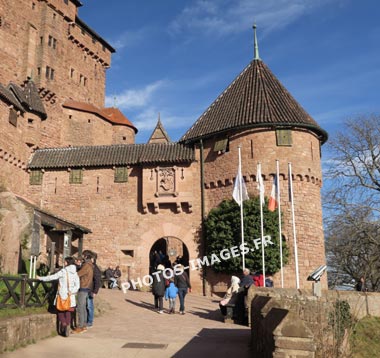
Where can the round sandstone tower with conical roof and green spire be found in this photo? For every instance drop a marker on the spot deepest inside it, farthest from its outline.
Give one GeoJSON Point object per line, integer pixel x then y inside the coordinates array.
{"type": "Point", "coordinates": [256, 112]}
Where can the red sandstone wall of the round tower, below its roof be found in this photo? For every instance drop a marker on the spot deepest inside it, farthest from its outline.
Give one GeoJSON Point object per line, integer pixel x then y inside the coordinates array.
{"type": "Point", "coordinates": [260, 146]}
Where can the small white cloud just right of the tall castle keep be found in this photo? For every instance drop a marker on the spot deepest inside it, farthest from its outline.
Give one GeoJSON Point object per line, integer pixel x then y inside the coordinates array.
{"type": "Point", "coordinates": [134, 97]}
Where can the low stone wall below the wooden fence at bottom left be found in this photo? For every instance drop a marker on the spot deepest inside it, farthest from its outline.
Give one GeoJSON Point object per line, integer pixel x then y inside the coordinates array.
{"type": "Point", "coordinates": [18, 331]}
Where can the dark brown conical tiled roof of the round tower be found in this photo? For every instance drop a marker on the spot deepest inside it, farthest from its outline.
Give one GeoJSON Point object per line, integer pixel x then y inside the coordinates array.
{"type": "Point", "coordinates": [256, 98]}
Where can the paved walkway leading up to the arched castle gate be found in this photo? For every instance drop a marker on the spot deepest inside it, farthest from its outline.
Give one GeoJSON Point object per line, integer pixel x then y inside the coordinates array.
{"type": "Point", "coordinates": [132, 323]}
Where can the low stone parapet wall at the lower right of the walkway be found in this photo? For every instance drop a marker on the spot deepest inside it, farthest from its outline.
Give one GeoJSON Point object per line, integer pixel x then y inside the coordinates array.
{"type": "Point", "coordinates": [289, 323]}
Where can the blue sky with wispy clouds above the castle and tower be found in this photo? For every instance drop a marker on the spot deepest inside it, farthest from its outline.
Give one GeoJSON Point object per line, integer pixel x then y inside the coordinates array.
{"type": "Point", "coordinates": [174, 57]}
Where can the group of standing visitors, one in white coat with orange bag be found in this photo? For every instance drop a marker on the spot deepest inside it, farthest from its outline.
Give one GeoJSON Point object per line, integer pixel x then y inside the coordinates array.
{"type": "Point", "coordinates": [79, 281]}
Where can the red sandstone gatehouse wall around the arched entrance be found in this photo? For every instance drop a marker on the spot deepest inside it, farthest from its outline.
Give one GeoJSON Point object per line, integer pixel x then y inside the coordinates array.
{"type": "Point", "coordinates": [113, 212]}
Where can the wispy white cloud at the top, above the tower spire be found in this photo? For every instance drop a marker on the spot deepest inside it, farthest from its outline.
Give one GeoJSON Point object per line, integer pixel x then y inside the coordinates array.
{"type": "Point", "coordinates": [234, 16]}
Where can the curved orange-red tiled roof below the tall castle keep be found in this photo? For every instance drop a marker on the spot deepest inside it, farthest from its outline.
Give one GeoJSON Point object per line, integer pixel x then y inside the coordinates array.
{"type": "Point", "coordinates": [111, 114]}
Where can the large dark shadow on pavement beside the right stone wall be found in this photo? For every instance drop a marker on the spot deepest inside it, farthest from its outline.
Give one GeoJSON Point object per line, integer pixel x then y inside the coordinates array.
{"type": "Point", "coordinates": [212, 342]}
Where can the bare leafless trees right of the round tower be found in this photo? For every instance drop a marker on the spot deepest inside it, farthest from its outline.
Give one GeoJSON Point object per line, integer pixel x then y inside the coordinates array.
{"type": "Point", "coordinates": [352, 202]}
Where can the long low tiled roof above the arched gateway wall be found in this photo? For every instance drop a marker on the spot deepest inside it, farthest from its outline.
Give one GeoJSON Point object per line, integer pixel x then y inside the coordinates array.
{"type": "Point", "coordinates": [111, 155]}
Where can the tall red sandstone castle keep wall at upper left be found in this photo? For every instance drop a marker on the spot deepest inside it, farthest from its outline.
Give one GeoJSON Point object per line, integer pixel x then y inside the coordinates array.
{"type": "Point", "coordinates": [78, 59]}
